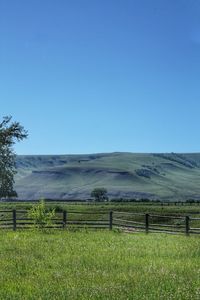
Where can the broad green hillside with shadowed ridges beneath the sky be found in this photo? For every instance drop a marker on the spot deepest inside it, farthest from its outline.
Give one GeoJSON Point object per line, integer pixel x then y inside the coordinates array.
{"type": "Point", "coordinates": [128, 175]}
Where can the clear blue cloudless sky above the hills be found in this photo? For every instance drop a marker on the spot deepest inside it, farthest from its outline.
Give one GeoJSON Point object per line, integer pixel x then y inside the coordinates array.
{"type": "Point", "coordinates": [87, 76]}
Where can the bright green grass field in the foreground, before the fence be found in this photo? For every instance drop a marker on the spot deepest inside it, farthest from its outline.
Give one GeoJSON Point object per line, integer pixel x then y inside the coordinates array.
{"type": "Point", "coordinates": [98, 265]}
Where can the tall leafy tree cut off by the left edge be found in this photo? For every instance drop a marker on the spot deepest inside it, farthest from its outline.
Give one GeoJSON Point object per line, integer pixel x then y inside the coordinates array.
{"type": "Point", "coordinates": [10, 132]}
